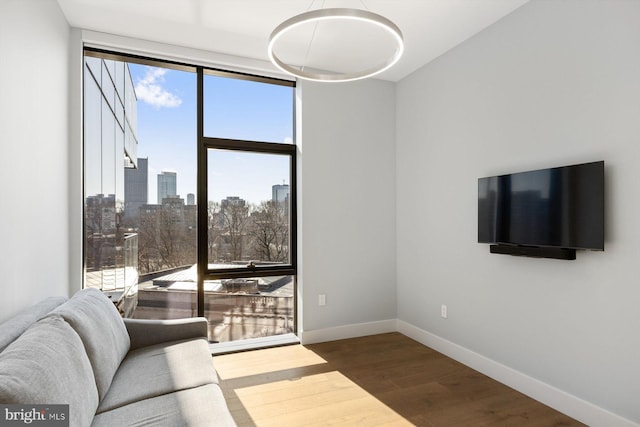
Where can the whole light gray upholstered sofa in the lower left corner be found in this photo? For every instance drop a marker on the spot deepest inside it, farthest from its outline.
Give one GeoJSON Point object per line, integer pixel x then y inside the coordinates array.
{"type": "Point", "coordinates": [111, 371]}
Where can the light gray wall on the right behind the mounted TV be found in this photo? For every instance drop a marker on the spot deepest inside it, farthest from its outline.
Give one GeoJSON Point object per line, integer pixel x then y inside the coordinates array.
{"type": "Point", "coordinates": [554, 83]}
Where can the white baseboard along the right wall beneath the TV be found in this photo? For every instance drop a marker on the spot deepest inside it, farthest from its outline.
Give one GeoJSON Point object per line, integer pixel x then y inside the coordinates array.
{"type": "Point", "coordinates": [564, 402]}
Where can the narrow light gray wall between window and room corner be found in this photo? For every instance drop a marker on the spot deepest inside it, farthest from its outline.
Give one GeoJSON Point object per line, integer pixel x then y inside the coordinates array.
{"type": "Point", "coordinates": [347, 149]}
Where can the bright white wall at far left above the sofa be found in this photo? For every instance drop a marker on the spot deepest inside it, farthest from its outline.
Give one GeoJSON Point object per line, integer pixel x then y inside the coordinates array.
{"type": "Point", "coordinates": [34, 259]}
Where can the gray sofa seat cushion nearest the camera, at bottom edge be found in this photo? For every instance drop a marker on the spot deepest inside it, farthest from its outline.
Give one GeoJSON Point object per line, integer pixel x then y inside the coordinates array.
{"type": "Point", "coordinates": [201, 406]}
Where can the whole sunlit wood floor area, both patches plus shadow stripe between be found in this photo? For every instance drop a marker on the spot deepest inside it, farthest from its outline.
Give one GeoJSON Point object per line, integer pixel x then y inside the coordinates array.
{"type": "Point", "coordinates": [293, 386]}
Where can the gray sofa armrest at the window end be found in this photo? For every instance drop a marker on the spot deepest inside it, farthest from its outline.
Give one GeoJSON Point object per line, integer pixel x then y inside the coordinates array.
{"type": "Point", "coordinates": [145, 332]}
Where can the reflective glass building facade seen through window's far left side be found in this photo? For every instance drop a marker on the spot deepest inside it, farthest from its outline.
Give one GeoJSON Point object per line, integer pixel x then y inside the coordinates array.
{"type": "Point", "coordinates": [110, 147]}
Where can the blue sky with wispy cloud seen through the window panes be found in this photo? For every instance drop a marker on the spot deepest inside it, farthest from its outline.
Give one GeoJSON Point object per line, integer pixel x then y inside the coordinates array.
{"type": "Point", "coordinates": [238, 109]}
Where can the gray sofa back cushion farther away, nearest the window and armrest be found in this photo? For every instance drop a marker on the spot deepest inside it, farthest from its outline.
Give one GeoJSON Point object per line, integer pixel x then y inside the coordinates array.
{"type": "Point", "coordinates": [94, 317]}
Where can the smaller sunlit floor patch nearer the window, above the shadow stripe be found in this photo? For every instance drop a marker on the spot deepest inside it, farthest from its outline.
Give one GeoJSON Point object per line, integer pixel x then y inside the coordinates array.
{"type": "Point", "coordinates": [264, 361]}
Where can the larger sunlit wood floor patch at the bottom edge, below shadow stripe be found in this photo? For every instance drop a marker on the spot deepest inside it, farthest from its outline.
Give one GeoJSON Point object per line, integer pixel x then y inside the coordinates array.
{"type": "Point", "coordinates": [323, 399]}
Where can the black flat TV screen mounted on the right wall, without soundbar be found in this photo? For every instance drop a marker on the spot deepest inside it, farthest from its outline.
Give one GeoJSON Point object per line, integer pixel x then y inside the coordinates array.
{"type": "Point", "coordinates": [557, 207]}
